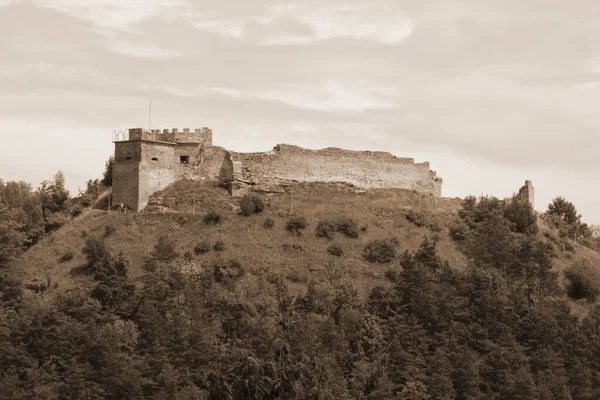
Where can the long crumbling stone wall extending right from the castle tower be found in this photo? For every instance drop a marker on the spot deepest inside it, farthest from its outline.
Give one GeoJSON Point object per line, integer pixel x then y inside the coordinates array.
{"type": "Point", "coordinates": [364, 169]}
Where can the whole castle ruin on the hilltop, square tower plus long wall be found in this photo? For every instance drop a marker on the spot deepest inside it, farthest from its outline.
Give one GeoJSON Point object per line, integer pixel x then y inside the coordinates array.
{"type": "Point", "coordinates": [149, 160]}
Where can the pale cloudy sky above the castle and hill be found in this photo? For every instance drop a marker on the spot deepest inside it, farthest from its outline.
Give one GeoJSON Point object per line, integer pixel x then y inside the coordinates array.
{"type": "Point", "coordinates": [490, 92]}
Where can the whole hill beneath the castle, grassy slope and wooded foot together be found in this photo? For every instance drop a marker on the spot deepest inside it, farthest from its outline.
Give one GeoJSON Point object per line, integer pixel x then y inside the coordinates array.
{"type": "Point", "coordinates": [269, 314]}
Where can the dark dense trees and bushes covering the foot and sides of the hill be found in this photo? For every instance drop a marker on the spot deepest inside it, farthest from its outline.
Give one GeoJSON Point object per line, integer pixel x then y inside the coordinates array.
{"type": "Point", "coordinates": [502, 328]}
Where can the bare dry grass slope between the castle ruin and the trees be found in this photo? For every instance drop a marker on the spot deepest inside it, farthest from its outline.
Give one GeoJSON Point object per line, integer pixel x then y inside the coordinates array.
{"type": "Point", "coordinates": [405, 215]}
